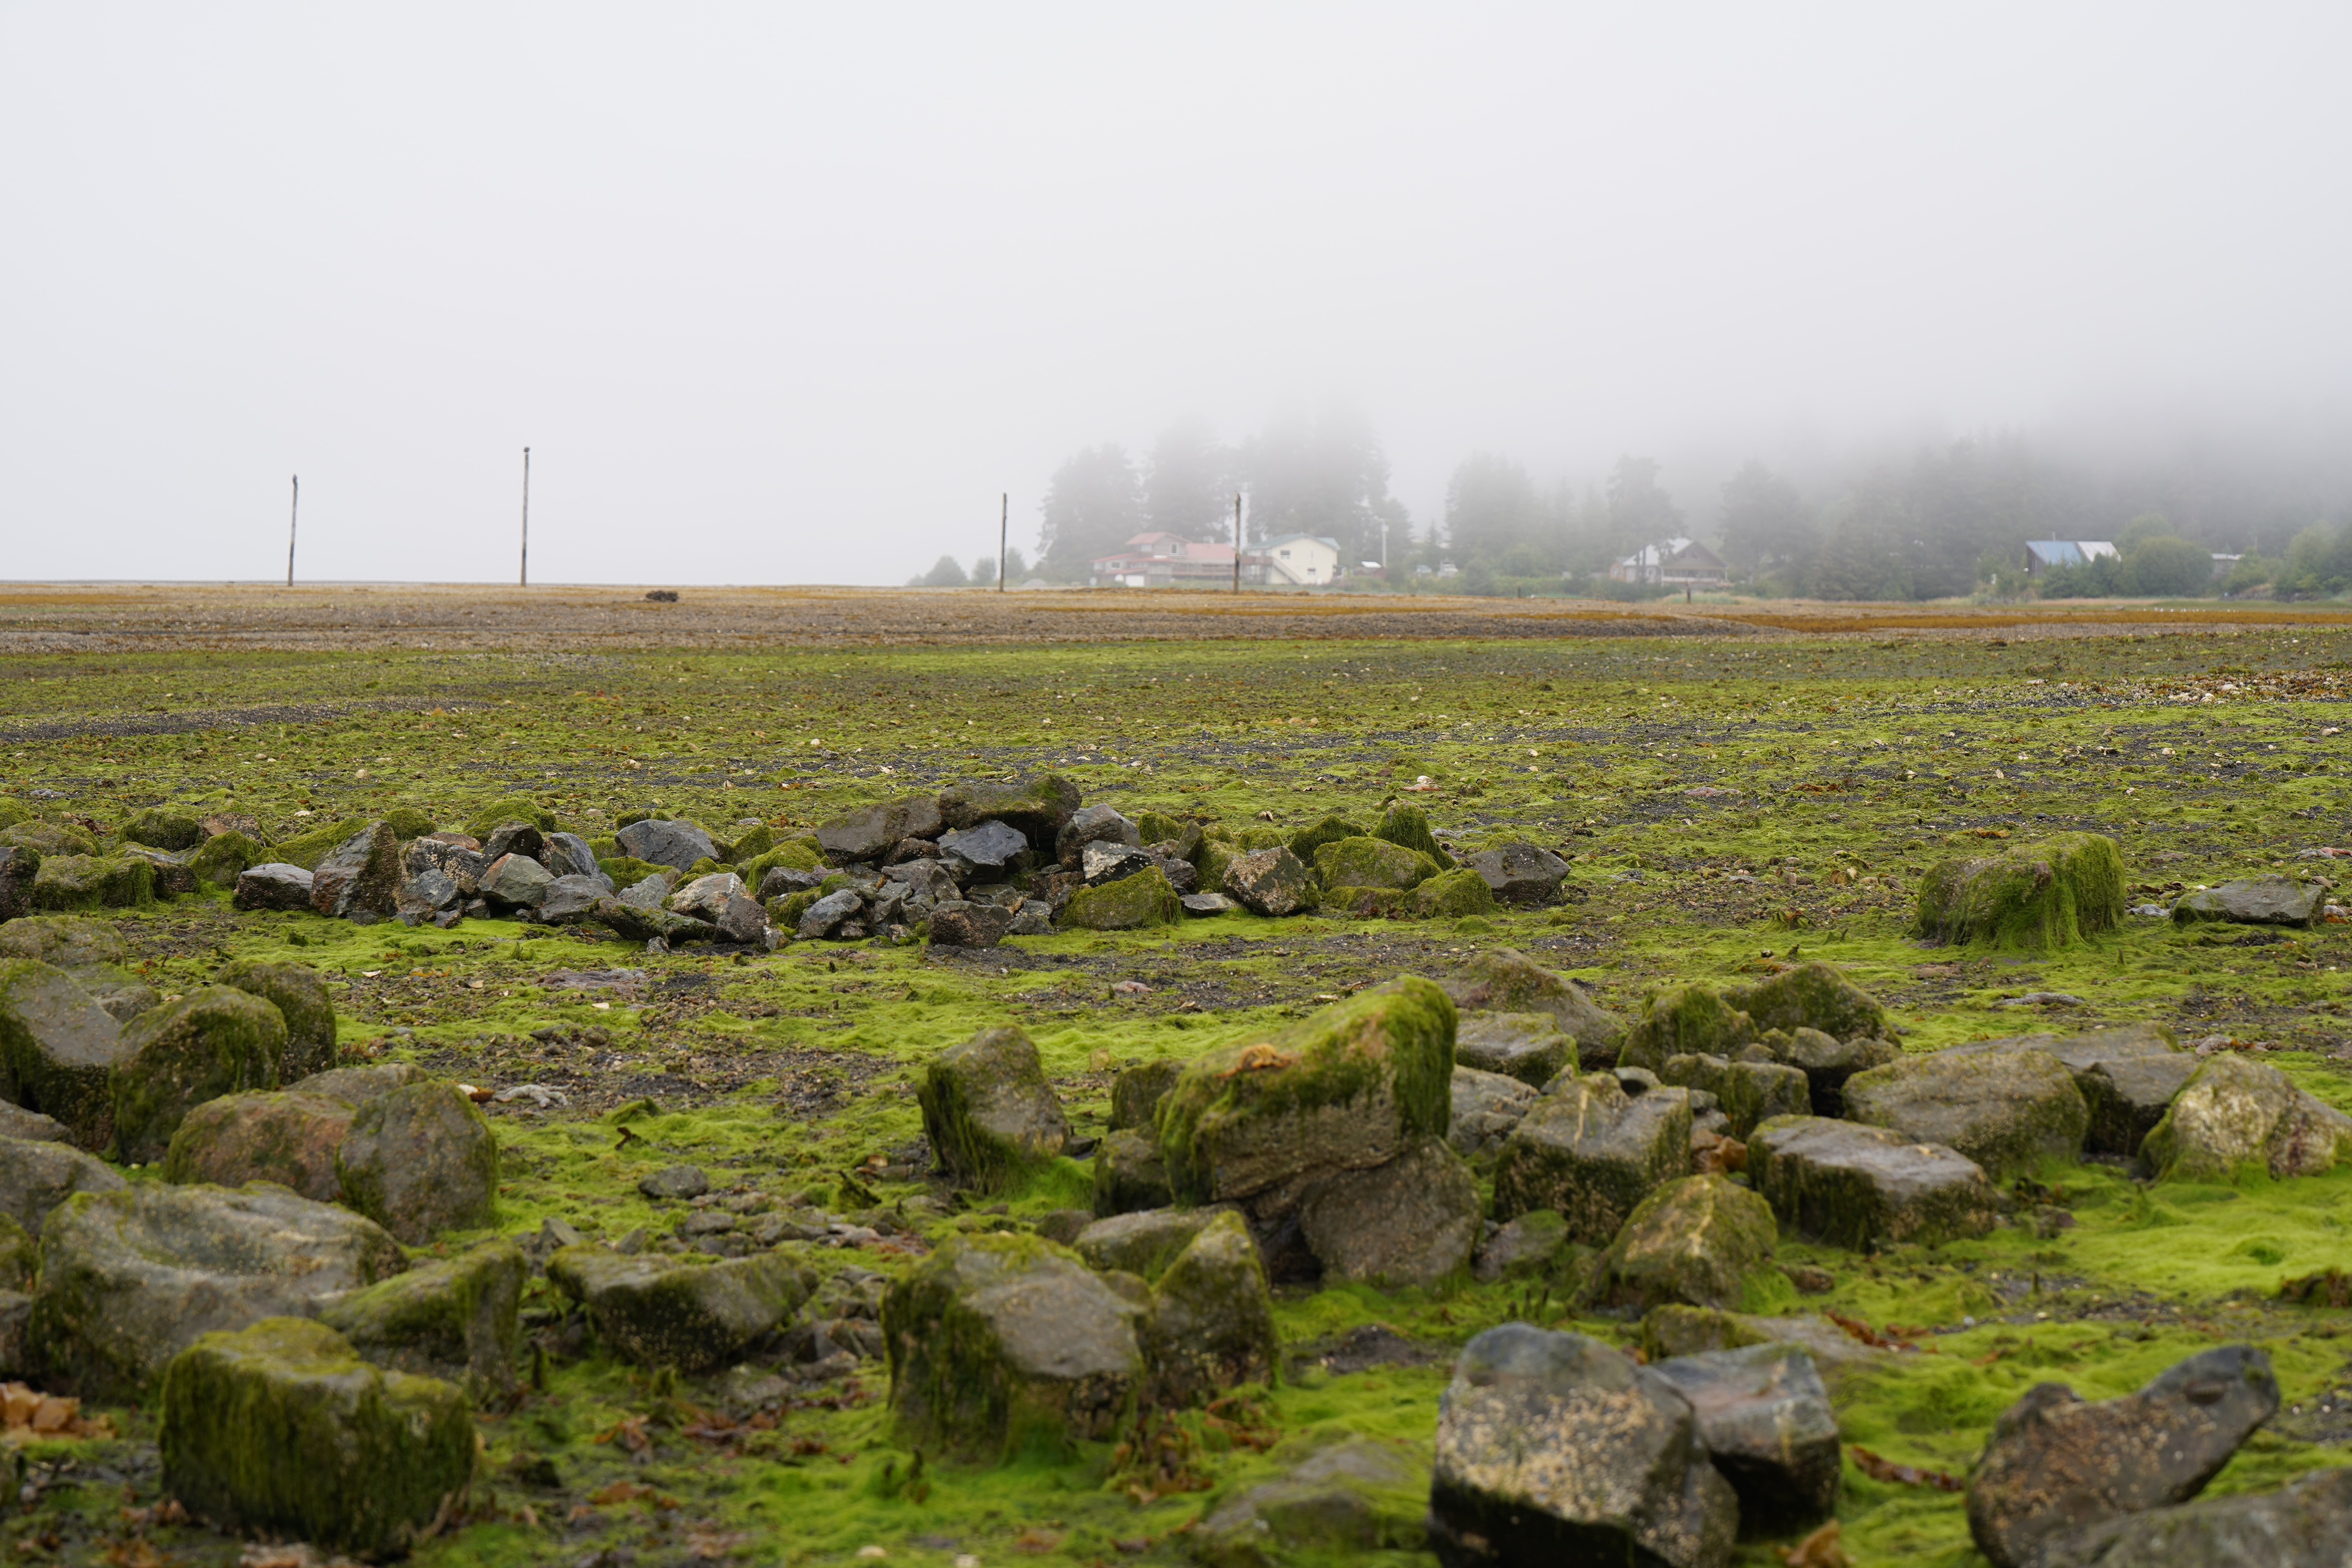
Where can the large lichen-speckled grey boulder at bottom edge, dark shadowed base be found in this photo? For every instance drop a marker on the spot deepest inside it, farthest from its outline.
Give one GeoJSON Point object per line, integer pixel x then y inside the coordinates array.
{"type": "Point", "coordinates": [1558, 1449]}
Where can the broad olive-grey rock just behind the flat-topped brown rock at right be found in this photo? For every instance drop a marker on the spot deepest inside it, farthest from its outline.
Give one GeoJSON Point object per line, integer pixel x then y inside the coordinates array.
{"type": "Point", "coordinates": [2007, 1111]}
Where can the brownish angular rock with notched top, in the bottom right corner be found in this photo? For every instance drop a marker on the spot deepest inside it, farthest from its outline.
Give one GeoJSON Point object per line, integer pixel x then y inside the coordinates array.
{"type": "Point", "coordinates": [2057, 1466]}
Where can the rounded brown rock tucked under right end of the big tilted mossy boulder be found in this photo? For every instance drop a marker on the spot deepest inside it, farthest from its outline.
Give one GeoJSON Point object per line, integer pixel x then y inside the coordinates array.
{"type": "Point", "coordinates": [1405, 1224]}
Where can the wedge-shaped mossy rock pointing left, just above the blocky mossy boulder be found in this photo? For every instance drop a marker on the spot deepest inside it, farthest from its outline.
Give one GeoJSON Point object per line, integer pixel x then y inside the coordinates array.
{"type": "Point", "coordinates": [455, 1320]}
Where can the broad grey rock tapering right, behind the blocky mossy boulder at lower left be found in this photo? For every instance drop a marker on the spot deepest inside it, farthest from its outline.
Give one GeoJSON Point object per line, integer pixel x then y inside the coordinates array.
{"type": "Point", "coordinates": [131, 1278]}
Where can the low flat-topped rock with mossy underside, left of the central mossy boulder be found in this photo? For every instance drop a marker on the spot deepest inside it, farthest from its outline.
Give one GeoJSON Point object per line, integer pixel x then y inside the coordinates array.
{"type": "Point", "coordinates": [681, 1311]}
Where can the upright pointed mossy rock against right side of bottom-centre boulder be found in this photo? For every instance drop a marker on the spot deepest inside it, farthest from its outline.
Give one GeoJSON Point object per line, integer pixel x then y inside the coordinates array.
{"type": "Point", "coordinates": [1212, 1322]}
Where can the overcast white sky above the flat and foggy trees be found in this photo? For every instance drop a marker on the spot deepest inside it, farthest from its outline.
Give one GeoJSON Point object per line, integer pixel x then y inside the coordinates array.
{"type": "Point", "coordinates": [794, 293]}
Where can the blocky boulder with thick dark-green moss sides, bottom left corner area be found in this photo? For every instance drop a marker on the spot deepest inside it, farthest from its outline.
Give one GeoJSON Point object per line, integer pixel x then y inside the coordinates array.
{"type": "Point", "coordinates": [281, 1428]}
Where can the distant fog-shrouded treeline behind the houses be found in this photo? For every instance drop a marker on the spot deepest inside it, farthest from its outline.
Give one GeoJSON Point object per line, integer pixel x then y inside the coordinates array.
{"type": "Point", "coordinates": [1942, 523]}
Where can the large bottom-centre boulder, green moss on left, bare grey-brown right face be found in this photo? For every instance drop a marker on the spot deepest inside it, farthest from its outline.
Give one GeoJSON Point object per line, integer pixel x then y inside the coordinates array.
{"type": "Point", "coordinates": [1005, 1346]}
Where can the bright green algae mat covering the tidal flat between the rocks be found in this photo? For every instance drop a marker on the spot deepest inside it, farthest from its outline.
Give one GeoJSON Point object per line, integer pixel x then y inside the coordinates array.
{"type": "Point", "coordinates": [1728, 805]}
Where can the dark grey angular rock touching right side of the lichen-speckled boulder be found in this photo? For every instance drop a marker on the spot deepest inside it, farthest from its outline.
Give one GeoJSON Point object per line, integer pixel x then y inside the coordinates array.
{"type": "Point", "coordinates": [1770, 1430]}
